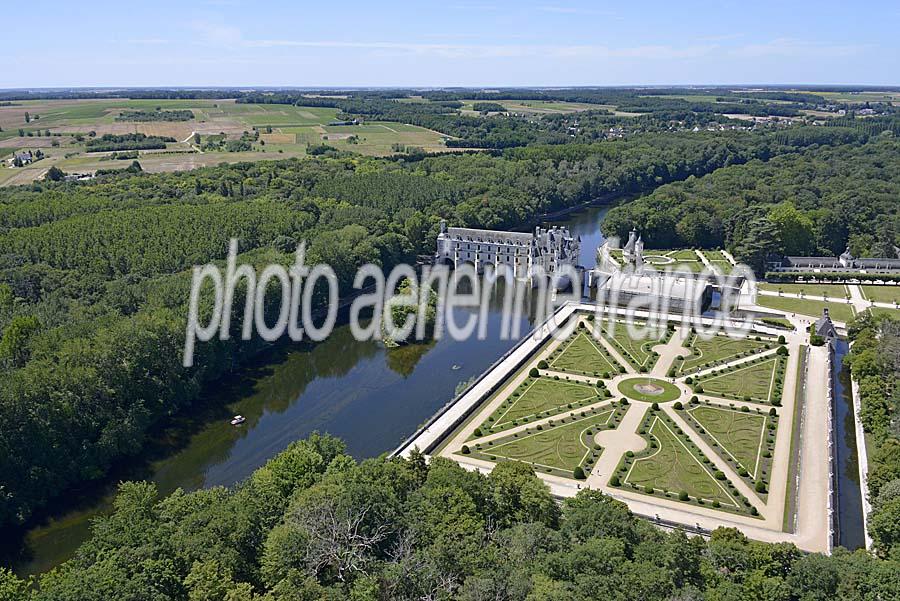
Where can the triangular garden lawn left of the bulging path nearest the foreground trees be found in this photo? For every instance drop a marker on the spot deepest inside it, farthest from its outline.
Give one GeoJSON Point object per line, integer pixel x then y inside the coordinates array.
{"type": "Point", "coordinates": [559, 449]}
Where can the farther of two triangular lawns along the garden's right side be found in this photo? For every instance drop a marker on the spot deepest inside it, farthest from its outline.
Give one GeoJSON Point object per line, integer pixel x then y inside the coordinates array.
{"type": "Point", "coordinates": [756, 381]}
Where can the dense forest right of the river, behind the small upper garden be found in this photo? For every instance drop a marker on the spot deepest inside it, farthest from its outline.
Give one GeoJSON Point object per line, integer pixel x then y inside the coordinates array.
{"type": "Point", "coordinates": [816, 202]}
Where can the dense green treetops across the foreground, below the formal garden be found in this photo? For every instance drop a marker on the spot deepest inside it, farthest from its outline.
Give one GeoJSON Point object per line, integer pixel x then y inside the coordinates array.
{"type": "Point", "coordinates": [315, 524]}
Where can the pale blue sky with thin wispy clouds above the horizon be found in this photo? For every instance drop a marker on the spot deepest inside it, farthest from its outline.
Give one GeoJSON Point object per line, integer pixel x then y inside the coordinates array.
{"type": "Point", "coordinates": [453, 42]}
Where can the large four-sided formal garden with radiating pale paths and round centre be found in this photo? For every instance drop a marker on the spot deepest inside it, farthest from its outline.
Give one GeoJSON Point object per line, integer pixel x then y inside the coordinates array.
{"type": "Point", "coordinates": [551, 411]}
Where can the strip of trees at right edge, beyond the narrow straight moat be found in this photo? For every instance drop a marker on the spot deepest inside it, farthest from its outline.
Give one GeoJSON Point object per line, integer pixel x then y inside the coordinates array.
{"type": "Point", "coordinates": [874, 362]}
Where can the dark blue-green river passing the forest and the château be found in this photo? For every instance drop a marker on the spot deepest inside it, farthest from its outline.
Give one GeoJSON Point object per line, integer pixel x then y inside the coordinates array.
{"type": "Point", "coordinates": [369, 396]}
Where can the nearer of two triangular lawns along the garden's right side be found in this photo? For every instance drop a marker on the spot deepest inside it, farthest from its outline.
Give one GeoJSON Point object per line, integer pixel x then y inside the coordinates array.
{"type": "Point", "coordinates": [738, 435]}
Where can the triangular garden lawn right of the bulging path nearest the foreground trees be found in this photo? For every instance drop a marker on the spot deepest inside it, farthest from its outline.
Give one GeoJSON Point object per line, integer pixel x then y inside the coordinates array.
{"type": "Point", "coordinates": [670, 466]}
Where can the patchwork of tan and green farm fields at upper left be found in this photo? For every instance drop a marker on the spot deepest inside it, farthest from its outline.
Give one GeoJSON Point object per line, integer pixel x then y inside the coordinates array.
{"type": "Point", "coordinates": [60, 128]}
